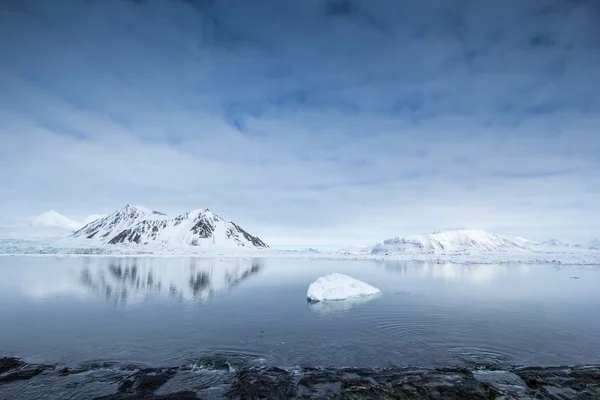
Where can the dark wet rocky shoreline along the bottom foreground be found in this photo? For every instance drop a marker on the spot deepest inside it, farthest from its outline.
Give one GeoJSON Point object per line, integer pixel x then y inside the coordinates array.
{"type": "Point", "coordinates": [112, 381]}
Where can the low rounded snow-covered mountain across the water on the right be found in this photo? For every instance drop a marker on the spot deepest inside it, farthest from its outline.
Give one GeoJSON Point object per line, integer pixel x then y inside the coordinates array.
{"type": "Point", "coordinates": [456, 241]}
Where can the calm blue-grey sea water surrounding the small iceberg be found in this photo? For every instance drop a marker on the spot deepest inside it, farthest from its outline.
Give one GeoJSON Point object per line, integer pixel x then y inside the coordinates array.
{"type": "Point", "coordinates": [170, 311]}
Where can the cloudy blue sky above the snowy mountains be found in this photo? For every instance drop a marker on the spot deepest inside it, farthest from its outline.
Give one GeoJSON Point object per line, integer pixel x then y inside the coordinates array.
{"type": "Point", "coordinates": [308, 123]}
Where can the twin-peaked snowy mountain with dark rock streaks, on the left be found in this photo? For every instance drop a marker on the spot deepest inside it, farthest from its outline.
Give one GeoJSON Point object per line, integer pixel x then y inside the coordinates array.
{"type": "Point", "coordinates": [139, 225]}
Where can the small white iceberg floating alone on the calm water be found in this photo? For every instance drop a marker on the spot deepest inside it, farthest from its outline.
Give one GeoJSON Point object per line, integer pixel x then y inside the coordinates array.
{"type": "Point", "coordinates": [338, 287]}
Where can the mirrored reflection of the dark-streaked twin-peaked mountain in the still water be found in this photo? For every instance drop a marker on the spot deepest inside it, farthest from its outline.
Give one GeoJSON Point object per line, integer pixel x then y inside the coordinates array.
{"type": "Point", "coordinates": [132, 279]}
